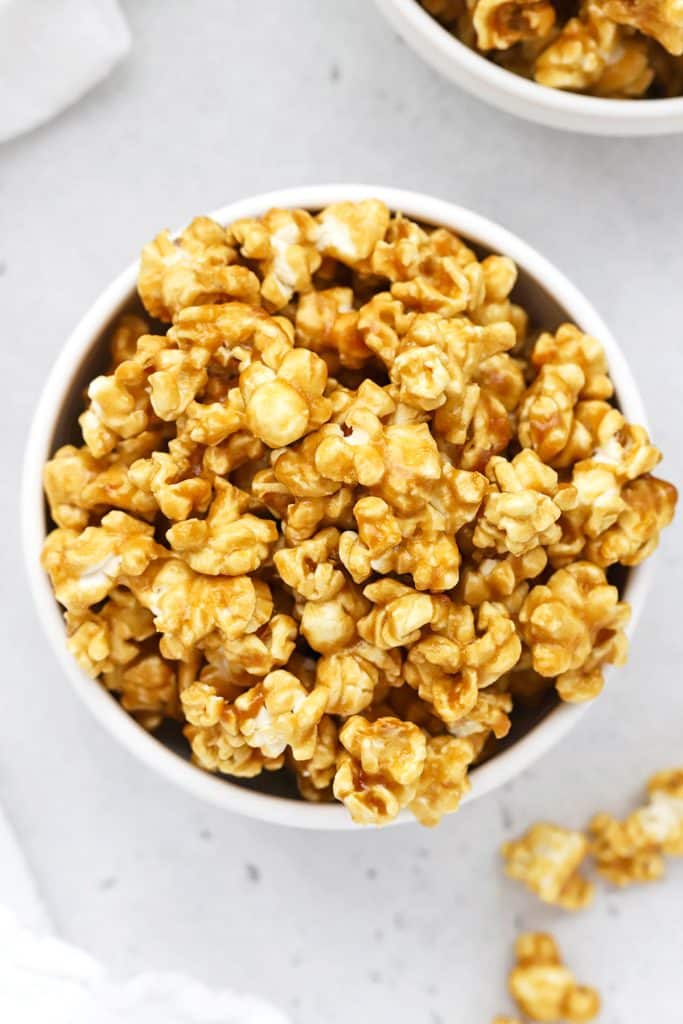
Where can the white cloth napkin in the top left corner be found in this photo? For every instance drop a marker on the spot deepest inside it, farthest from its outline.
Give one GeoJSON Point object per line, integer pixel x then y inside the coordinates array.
{"type": "Point", "coordinates": [52, 53]}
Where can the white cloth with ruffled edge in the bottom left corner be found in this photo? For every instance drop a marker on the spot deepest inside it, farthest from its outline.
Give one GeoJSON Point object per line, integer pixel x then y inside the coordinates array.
{"type": "Point", "coordinates": [46, 979]}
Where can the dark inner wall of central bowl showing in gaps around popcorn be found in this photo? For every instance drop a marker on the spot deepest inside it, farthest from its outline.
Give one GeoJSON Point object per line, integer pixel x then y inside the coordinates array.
{"type": "Point", "coordinates": [545, 311]}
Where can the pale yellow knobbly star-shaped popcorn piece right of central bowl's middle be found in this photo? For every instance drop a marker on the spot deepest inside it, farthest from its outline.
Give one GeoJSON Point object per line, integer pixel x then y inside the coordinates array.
{"type": "Point", "coordinates": [524, 505]}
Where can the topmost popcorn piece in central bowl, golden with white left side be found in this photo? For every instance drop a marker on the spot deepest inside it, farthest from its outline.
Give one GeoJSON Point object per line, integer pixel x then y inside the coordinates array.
{"type": "Point", "coordinates": [350, 232]}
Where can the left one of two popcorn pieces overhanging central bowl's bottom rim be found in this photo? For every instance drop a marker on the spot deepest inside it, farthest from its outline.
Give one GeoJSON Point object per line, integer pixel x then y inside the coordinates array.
{"type": "Point", "coordinates": [379, 775]}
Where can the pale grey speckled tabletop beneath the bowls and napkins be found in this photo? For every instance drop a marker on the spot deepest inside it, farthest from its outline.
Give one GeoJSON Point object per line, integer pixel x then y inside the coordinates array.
{"type": "Point", "coordinates": [221, 100]}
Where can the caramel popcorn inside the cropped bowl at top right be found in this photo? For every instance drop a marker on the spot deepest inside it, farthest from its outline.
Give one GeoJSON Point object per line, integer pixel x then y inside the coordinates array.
{"type": "Point", "coordinates": [617, 50]}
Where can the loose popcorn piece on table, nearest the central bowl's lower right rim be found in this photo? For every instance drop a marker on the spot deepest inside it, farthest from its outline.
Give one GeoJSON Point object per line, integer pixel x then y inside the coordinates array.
{"type": "Point", "coordinates": [547, 860]}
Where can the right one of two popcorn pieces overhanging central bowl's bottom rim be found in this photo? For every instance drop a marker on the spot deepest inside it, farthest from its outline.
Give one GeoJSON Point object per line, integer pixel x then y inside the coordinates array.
{"type": "Point", "coordinates": [444, 780]}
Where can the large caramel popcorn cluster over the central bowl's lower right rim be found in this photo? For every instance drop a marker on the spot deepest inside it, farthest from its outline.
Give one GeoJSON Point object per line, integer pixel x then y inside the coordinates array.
{"type": "Point", "coordinates": [574, 625]}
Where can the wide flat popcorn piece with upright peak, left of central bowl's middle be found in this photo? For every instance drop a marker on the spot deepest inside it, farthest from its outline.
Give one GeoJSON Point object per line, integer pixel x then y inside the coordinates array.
{"type": "Point", "coordinates": [231, 541]}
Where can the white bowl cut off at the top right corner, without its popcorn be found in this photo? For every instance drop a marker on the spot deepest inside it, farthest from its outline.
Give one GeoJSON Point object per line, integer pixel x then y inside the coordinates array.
{"type": "Point", "coordinates": [516, 95]}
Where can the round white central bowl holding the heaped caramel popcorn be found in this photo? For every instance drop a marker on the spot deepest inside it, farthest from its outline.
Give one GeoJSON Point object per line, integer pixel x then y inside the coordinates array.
{"type": "Point", "coordinates": [548, 295]}
